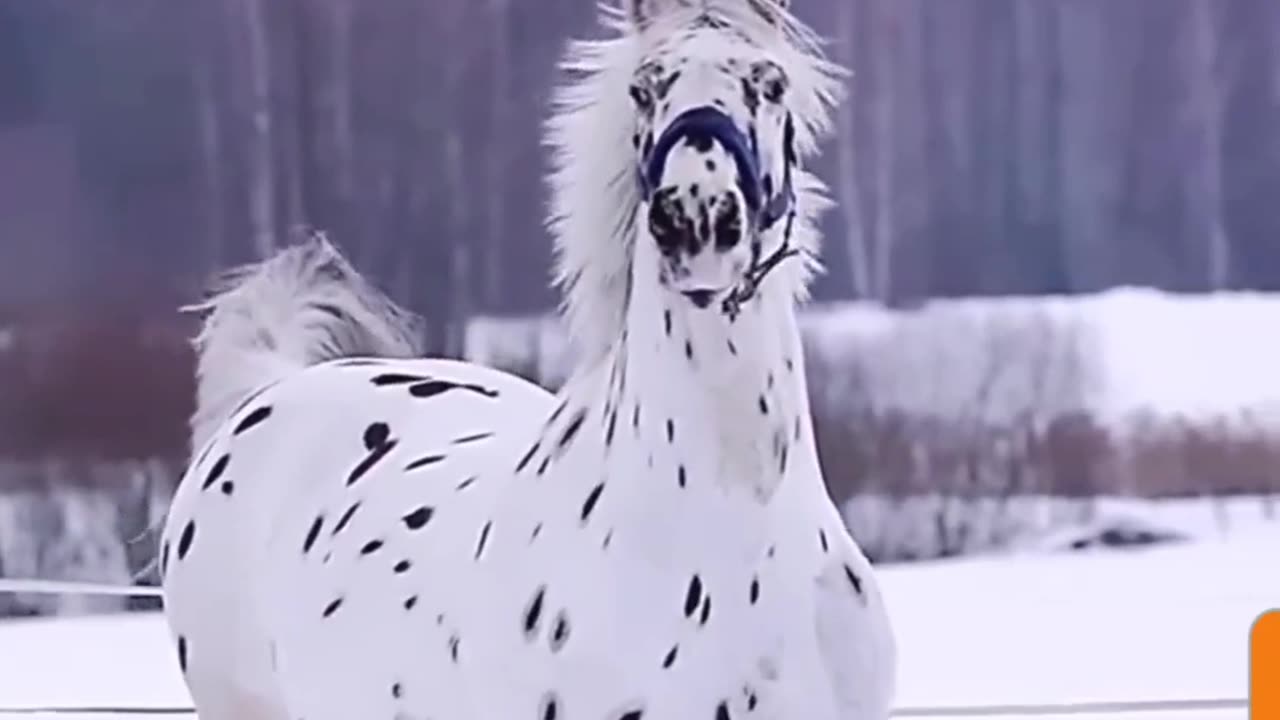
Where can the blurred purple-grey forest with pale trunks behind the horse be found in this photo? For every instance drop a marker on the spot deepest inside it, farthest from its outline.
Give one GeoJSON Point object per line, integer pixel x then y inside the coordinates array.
{"type": "Point", "coordinates": [988, 147]}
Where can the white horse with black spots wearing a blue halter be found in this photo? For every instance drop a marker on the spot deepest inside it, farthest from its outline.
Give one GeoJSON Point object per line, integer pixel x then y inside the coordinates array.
{"type": "Point", "coordinates": [364, 535]}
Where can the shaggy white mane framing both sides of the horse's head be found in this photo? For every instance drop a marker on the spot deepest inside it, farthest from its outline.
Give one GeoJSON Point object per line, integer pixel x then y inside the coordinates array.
{"type": "Point", "coordinates": [593, 181]}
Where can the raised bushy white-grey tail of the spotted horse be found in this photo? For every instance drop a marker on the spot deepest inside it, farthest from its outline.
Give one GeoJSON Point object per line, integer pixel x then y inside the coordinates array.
{"type": "Point", "coordinates": [301, 307]}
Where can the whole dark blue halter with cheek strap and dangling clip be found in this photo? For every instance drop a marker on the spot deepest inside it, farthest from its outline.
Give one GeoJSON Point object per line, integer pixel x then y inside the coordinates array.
{"type": "Point", "coordinates": [764, 212]}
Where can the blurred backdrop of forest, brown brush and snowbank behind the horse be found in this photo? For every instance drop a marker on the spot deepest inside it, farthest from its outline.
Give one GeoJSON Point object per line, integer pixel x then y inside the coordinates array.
{"type": "Point", "coordinates": [1046, 321]}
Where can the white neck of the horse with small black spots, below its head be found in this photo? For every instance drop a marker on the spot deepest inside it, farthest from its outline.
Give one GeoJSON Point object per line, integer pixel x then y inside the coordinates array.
{"type": "Point", "coordinates": [687, 429]}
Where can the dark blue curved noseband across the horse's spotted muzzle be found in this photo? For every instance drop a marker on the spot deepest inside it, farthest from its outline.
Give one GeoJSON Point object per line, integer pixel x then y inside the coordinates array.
{"type": "Point", "coordinates": [715, 124]}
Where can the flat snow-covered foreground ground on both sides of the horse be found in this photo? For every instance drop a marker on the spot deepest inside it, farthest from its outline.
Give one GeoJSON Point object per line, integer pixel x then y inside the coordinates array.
{"type": "Point", "coordinates": [1164, 625]}
